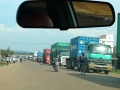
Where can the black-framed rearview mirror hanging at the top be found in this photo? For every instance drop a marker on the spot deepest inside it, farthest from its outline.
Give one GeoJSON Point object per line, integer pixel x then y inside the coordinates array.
{"type": "Point", "coordinates": [65, 14]}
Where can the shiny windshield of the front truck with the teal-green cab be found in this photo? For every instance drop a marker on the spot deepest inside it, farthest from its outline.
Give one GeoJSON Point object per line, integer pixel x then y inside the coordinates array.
{"type": "Point", "coordinates": [100, 49]}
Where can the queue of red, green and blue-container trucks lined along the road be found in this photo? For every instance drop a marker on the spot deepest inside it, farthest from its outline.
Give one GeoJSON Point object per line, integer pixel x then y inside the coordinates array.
{"type": "Point", "coordinates": [99, 56]}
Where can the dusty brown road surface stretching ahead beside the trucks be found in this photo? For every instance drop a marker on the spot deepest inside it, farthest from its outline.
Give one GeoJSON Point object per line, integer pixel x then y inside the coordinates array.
{"type": "Point", "coordinates": [37, 76]}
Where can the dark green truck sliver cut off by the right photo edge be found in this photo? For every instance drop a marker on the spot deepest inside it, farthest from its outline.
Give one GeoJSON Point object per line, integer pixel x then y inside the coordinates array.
{"type": "Point", "coordinates": [118, 41]}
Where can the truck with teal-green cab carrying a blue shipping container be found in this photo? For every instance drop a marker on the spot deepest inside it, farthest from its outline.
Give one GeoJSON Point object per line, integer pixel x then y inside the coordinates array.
{"type": "Point", "coordinates": [99, 56]}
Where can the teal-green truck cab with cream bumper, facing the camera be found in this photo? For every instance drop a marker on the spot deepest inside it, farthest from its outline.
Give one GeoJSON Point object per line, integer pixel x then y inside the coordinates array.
{"type": "Point", "coordinates": [99, 57]}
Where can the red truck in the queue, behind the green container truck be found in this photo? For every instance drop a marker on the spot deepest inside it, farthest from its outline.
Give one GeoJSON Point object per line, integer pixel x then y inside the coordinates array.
{"type": "Point", "coordinates": [46, 55]}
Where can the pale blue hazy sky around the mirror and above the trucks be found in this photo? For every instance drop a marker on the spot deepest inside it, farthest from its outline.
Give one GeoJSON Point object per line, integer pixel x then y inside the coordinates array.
{"type": "Point", "coordinates": [11, 34]}
